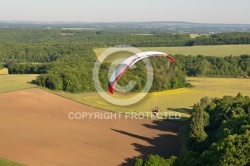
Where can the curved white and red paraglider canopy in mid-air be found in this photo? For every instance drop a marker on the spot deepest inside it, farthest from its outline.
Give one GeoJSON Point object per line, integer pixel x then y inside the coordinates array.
{"type": "Point", "coordinates": [127, 63]}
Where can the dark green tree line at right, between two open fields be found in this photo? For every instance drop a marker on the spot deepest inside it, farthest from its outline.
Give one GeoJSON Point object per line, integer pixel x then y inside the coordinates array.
{"type": "Point", "coordinates": [210, 66]}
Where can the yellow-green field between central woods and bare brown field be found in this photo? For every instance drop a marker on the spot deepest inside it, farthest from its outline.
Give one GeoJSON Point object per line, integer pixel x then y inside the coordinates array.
{"type": "Point", "coordinates": [179, 100]}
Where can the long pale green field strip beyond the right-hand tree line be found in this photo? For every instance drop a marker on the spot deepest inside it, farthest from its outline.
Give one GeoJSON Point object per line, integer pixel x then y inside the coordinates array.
{"type": "Point", "coordinates": [220, 50]}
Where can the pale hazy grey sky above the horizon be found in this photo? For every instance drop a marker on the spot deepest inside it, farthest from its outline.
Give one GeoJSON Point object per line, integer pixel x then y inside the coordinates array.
{"type": "Point", "coordinates": [198, 11]}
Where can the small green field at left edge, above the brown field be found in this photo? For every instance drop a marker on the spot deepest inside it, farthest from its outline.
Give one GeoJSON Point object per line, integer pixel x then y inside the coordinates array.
{"type": "Point", "coordinates": [9, 83]}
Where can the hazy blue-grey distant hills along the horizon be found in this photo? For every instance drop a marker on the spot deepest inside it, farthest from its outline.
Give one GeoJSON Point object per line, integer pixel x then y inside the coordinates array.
{"type": "Point", "coordinates": [133, 27]}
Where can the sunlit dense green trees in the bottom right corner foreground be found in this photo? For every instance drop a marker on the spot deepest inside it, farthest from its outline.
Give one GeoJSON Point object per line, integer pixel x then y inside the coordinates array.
{"type": "Point", "coordinates": [217, 134]}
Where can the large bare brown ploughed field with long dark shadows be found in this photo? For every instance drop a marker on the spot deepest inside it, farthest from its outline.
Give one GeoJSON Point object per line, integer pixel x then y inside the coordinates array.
{"type": "Point", "coordinates": [35, 130]}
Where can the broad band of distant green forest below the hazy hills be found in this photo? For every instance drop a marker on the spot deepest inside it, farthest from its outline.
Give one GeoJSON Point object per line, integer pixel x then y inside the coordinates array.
{"type": "Point", "coordinates": [22, 39]}
